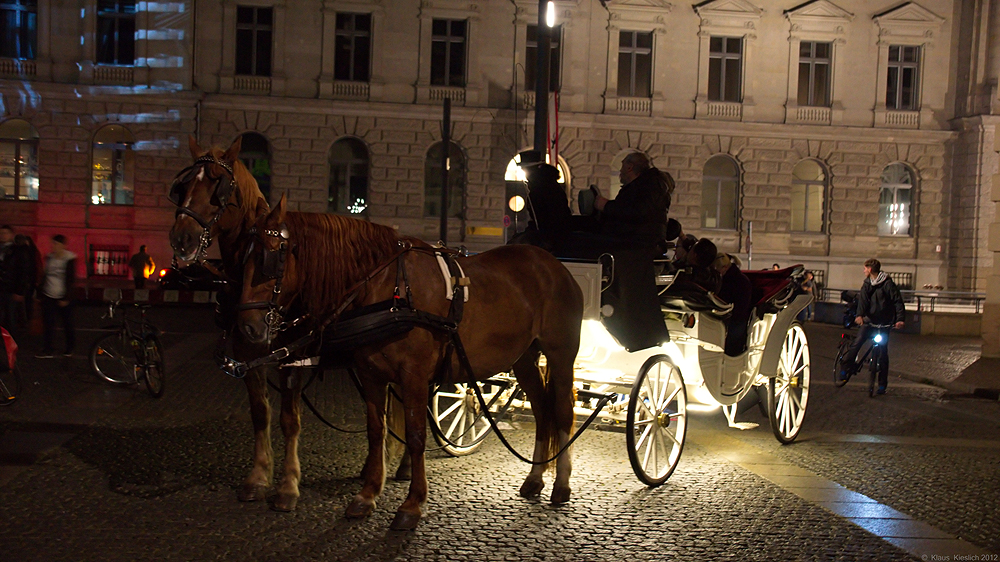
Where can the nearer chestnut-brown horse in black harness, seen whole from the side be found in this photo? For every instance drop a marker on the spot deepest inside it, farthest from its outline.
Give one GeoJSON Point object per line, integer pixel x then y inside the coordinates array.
{"type": "Point", "coordinates": [521, 302]}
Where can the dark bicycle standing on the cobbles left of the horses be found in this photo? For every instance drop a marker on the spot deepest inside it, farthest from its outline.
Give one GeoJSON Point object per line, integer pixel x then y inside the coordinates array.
{"type": "Point", "coordinates": [131, 354]}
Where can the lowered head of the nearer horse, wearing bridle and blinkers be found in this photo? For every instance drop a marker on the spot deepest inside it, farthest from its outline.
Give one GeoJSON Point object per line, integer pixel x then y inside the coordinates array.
{"type": "Point", "coordinates": [270, 282]}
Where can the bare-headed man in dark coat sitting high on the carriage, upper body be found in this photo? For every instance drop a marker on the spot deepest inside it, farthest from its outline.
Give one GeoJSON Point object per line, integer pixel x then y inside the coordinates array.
{"type": "Point", "coordinates": [639, 211]}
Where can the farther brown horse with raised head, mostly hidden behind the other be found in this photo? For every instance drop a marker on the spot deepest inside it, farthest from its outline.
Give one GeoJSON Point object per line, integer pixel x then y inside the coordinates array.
{"type": "Point", "coordinates": [218, 199]}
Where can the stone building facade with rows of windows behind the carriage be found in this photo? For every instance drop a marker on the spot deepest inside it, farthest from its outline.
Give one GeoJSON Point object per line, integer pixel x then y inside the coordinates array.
{"type": "Point", "coordinates": [687, 84]}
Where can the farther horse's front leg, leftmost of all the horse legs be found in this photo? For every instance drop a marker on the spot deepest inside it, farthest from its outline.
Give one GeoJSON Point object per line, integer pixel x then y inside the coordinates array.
{"type": "Point", "coordinates": [259, 480]}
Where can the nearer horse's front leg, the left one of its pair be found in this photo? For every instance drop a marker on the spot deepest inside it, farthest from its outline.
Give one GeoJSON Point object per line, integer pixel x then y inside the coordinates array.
{"type": "Point", "coordinates": [373, 473]}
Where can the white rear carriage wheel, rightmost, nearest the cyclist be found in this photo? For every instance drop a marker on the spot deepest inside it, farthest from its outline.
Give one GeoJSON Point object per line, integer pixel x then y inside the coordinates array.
{"type": "Point", "coordinates": [789, 389]}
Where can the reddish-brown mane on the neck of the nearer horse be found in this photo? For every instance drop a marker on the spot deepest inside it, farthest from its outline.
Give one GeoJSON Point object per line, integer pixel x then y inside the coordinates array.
{"type": "Point", "coordinates": [339, 252]}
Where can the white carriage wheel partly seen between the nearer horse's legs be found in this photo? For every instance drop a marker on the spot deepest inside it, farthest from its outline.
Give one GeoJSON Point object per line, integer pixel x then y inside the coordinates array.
{"type": "Point", "coordinates": [455, 411]}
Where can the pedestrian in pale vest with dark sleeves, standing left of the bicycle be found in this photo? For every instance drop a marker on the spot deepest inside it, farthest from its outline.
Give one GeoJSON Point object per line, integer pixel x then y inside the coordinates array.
{"type": "Point", "coordinates": [56, 293]}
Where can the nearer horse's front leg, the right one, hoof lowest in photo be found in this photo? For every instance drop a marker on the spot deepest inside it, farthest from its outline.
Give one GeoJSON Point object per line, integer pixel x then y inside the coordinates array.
{"type": "Point", "coordinates": [415, 412]}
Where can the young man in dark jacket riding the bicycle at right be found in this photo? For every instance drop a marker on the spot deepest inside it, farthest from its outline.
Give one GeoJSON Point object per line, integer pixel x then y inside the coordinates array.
{"type": "Point", "coordinates": [879, 302]}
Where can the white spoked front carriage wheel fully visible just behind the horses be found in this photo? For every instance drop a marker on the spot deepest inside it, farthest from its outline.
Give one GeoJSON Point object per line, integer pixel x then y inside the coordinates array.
{"type": "Point", "coordinates": [657, 420]}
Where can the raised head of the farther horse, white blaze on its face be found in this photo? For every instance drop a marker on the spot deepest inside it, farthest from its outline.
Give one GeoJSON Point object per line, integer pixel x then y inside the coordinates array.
{"type": "Point", "coordinates": [215, 195]}
